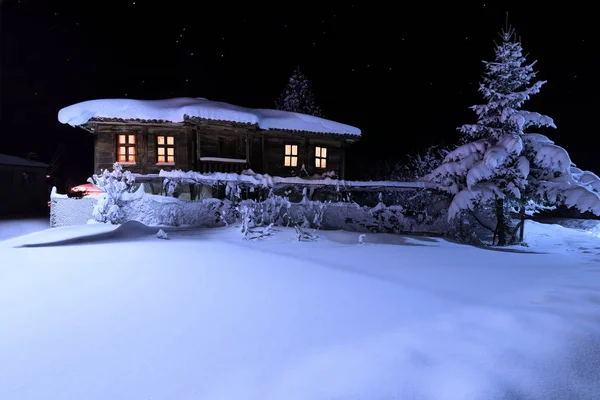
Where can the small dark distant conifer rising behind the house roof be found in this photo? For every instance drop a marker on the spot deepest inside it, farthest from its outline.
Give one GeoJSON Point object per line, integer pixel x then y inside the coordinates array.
{"type": "Point", "coordinates": [297, 96]}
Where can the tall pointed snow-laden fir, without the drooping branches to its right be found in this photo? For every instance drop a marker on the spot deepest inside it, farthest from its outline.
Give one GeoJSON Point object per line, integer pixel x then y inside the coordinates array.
{"type": "Point", "coordinates": [489, 171]}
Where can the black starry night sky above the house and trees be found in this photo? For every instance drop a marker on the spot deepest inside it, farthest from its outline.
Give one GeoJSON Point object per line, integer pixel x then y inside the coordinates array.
{"type": "Point", "coordinates": [405, 77]}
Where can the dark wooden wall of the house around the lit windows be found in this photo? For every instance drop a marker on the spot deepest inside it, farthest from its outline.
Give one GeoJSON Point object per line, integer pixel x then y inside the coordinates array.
{"type": "Point", "coordinates": [264, 151]}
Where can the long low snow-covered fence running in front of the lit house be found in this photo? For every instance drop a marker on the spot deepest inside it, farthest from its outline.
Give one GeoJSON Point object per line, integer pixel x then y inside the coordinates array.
{"type": "Point", "coordinates": [169, 211]}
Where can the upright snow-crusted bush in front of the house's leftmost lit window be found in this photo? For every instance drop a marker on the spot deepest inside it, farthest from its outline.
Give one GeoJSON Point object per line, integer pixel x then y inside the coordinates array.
{"type": "Point", "coordinates": [114, 185]}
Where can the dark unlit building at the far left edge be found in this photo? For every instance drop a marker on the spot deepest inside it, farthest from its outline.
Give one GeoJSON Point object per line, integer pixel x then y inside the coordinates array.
{"type": "Point", "coordinates": [24, 189]}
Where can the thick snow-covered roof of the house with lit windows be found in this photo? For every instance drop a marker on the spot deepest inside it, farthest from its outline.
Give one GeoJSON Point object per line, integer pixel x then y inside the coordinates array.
{"type": "Point", "coordinates": [174, 110]}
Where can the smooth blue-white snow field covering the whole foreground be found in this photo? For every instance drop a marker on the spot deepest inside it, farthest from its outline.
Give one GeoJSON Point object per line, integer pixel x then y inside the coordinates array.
{"type": "Point", "coordinates": [207, 315]}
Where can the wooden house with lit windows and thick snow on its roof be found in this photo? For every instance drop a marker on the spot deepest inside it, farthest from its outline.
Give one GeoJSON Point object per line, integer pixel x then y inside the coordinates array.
{"type": "Point", "coordinates": [196, 134]}
